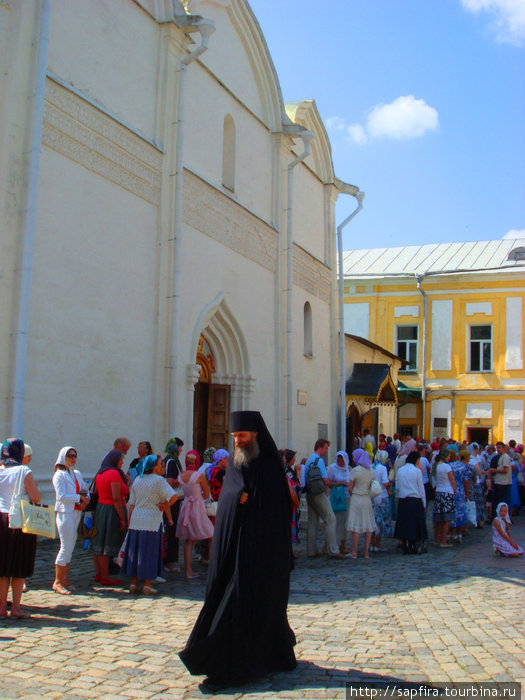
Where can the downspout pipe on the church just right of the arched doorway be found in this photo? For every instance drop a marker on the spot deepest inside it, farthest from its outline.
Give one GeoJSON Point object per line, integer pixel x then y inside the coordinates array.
{"type": "Point", "coordinates": [306, 137]}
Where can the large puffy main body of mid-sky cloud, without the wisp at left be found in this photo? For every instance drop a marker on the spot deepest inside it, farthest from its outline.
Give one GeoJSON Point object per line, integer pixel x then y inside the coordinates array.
{"type": "Point", "coordinates": [404, 118]}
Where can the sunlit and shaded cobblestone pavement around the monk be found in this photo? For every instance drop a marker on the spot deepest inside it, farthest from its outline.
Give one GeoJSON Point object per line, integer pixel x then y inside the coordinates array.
{"type": "Point", "coordinates": [453, 614]}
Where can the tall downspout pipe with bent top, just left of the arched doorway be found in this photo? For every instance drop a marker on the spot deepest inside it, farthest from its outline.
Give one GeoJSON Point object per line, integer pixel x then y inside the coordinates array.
{"type": "Point", "coordinates": [205, 29]}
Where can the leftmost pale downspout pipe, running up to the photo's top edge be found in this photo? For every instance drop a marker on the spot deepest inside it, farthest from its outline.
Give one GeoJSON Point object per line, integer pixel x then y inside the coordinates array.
{"type": "Point", "coordinates": [26, 267]}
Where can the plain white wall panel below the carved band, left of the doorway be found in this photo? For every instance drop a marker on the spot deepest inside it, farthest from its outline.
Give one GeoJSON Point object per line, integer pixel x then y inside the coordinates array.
{"type": "Point", "coordinates": [92, 316]}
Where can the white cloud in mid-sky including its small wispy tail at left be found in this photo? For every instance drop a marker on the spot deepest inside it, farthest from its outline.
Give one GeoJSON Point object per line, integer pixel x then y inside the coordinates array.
{"type": "Point", "coordinates": [404, 118]}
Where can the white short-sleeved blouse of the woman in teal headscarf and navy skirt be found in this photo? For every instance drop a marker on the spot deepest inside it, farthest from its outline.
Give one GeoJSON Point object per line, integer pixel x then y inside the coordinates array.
{"type": "Point", "coordinates": [147, 492]}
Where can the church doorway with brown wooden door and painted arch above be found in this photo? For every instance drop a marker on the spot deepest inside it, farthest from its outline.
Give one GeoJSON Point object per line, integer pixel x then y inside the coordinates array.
{"type": "Point", "coordinates": [211, 404]}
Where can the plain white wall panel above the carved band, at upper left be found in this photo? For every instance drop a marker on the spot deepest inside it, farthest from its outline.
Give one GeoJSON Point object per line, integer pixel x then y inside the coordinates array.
{"type": "Point", "coordinates": [108, 50]}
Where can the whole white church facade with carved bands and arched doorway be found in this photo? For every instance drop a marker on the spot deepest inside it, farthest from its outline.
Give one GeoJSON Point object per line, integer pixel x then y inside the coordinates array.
{"type": "Point", "coordinates": [167, 246]}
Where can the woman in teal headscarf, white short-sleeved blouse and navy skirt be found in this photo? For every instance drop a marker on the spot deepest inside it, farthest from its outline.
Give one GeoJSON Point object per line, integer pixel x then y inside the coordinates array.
{"type": "Point", "coordinates": [150, 494]}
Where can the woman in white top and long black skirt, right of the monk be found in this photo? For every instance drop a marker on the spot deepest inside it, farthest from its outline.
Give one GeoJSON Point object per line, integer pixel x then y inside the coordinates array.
{"type": "Point", "coordinates": [411, 528]}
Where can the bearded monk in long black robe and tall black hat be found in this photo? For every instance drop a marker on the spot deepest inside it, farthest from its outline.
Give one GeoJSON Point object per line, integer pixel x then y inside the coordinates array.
{"type": "Point", "coordinates": [242, 631]}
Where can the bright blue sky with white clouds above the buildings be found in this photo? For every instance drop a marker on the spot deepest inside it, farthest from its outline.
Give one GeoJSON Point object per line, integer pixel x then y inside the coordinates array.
{"type": "Point", "coordinates": [424, 103]}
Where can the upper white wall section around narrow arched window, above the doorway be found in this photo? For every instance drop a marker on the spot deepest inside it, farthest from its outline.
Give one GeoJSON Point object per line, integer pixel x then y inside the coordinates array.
{"type": "Point", "coordinates": [204, 142]}
